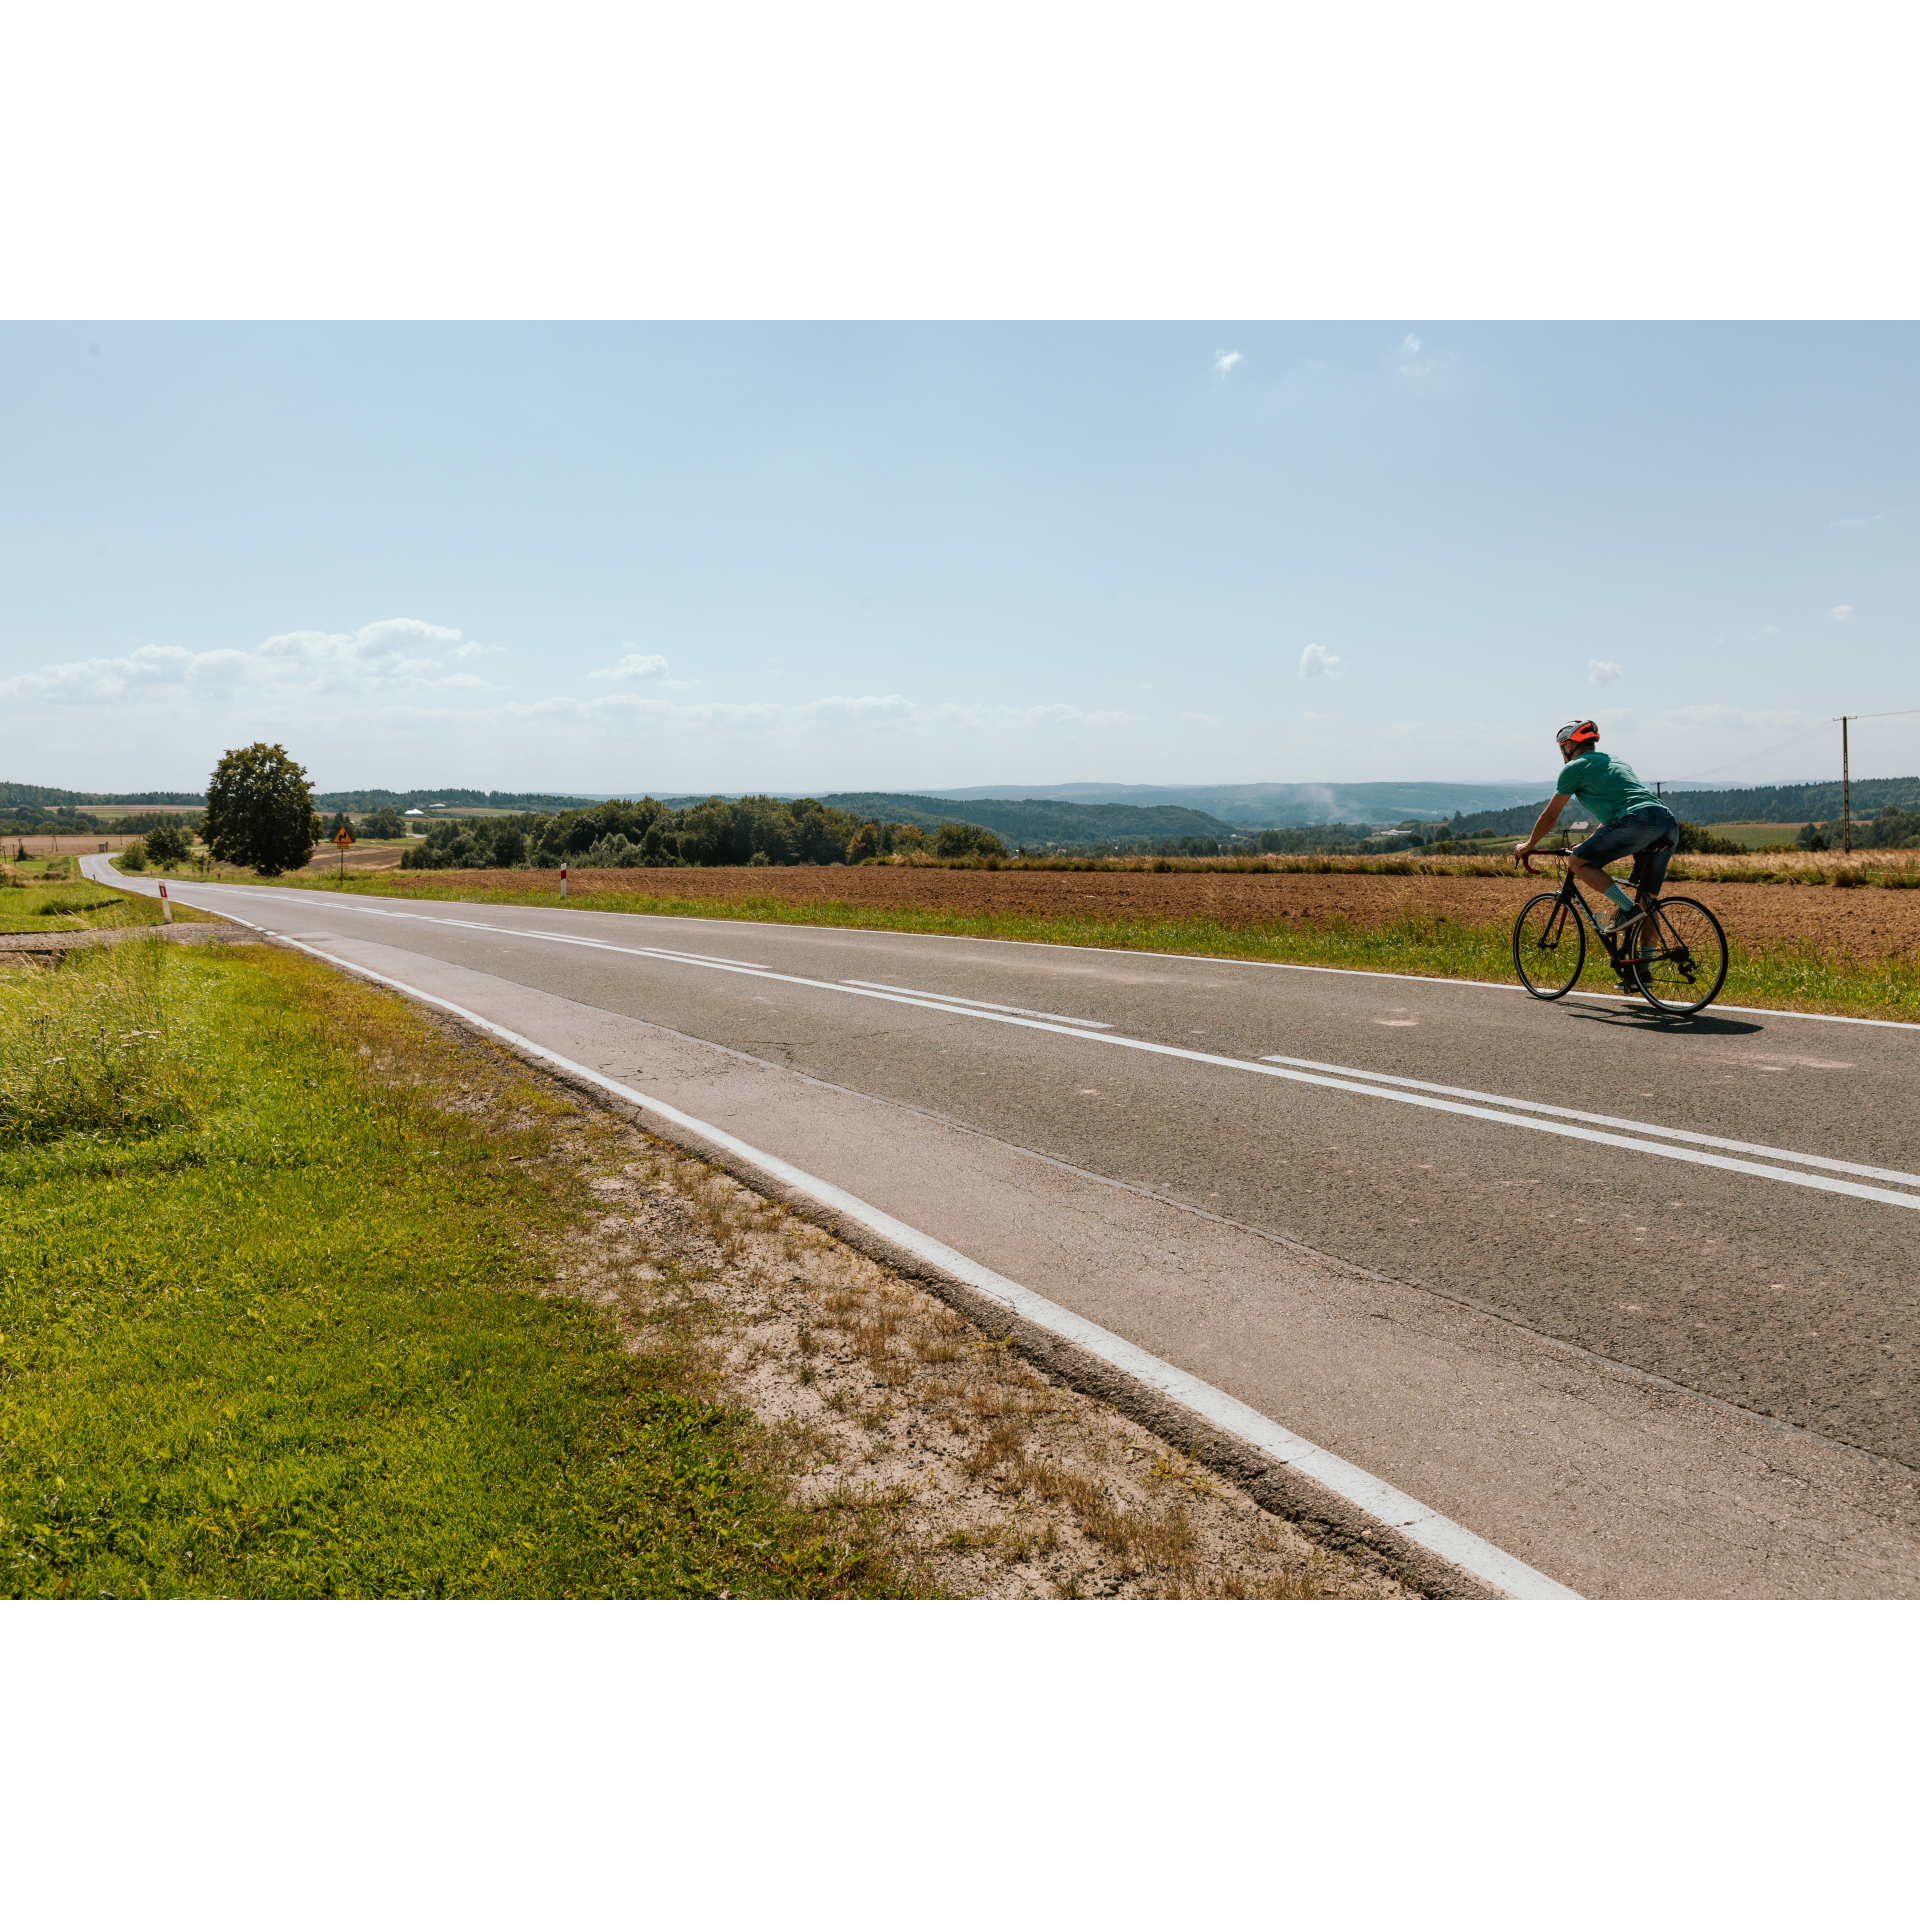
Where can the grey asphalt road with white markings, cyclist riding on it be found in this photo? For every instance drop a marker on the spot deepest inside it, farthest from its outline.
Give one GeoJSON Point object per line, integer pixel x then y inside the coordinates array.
{"type": "Point", "coordinates": [1307, 1188]}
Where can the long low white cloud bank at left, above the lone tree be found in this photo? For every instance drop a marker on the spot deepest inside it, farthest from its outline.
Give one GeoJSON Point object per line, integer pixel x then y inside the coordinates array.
{"type": "Point", "coordinates": [385, 658]}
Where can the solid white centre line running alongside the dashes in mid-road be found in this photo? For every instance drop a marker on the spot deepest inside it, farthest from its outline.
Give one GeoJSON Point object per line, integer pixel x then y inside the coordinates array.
{"type": "Point", "coordinates": [1045, 1024]}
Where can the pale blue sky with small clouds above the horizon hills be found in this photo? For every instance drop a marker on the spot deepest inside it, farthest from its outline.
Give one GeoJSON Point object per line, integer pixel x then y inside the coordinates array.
{"type": "Point", "coordinates": [681, 558]}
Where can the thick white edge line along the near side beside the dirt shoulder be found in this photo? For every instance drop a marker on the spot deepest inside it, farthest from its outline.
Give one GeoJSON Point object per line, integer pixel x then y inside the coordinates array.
{"type": "Point", "coordinates": [1355, 1485]}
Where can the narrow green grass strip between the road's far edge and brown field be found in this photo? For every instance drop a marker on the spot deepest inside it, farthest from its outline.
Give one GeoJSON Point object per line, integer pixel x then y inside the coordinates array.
{"type": "Point", "coordinates": [1800, 978]}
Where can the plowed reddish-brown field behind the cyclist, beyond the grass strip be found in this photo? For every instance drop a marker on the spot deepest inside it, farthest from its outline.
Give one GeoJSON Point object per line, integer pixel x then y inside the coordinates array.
{"type": "Point", "coordinates": [1863, 923]}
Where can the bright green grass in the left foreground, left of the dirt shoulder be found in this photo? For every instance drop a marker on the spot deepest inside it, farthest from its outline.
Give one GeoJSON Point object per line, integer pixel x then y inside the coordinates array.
{"type": "Point", "coordinates": [272, 1320]}
